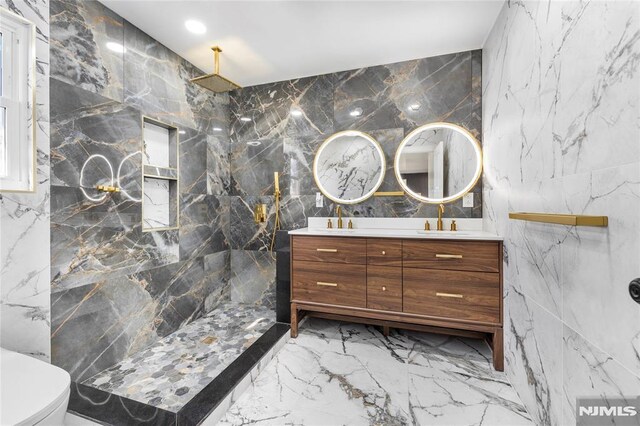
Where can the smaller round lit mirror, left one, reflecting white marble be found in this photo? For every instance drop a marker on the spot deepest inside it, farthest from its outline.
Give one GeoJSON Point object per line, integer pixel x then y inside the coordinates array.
{"type": "Point", "coordinates": [349, 167]}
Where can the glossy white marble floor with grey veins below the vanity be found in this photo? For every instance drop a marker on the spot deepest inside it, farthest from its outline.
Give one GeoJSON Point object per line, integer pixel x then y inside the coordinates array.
{"type": "Point", "coordinates": [347, 374]}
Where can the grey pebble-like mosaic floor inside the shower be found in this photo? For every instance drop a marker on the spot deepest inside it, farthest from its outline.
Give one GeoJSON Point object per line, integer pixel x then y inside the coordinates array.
{"type": "Point", "coordinates": [170, 372]}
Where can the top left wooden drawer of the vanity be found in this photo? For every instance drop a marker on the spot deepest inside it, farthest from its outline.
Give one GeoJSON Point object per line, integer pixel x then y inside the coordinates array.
{"type": "Point", "coordinates": [330, 249]}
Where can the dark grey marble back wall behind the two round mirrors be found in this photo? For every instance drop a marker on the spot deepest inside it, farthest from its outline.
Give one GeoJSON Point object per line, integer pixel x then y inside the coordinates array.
{"type": "Point", "coordinates": [447, 87]}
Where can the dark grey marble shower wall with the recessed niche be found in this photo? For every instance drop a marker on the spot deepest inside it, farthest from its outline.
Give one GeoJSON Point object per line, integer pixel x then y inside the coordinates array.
{"type": "Point", "coordinates": [115, 288]}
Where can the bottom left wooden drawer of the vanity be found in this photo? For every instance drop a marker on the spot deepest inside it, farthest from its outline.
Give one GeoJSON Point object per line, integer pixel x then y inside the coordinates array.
{"type": "Point", "coordinates": [335, 284]}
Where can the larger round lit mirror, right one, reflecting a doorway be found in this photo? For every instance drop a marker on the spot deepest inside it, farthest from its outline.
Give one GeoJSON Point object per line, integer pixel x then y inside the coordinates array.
{"type": "Point", "coordinates": [438, 163]}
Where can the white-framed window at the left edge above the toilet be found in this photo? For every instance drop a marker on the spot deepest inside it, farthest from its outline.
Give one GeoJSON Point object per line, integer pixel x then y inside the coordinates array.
{"type": "Point", "coordinates": [17, 83]}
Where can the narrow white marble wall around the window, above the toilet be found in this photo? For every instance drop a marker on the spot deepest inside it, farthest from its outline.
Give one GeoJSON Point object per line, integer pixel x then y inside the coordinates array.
{"type": "Point", "coordinates": [25, 316]}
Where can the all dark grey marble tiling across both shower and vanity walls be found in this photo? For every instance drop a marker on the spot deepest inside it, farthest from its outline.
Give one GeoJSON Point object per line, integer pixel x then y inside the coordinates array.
{"type": "Point", "coordinates": [120, 288]}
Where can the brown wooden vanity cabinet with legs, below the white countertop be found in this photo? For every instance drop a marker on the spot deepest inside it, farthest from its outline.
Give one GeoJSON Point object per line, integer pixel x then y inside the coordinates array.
{"type": "Point", "coordinates": [441, 286]}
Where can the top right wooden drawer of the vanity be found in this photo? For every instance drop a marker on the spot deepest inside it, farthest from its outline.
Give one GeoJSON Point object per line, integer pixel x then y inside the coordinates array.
{"type": "Point", "coordinates": [452, 255]}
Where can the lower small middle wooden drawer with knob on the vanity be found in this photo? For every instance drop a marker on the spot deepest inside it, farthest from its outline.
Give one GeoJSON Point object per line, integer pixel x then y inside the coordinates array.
{"type": "Point", "coordinates": [384, 288]}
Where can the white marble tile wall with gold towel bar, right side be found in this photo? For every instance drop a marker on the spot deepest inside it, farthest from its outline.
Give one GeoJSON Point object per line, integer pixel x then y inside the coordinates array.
{"type": "Point", "coordinates": [561, 135]}
